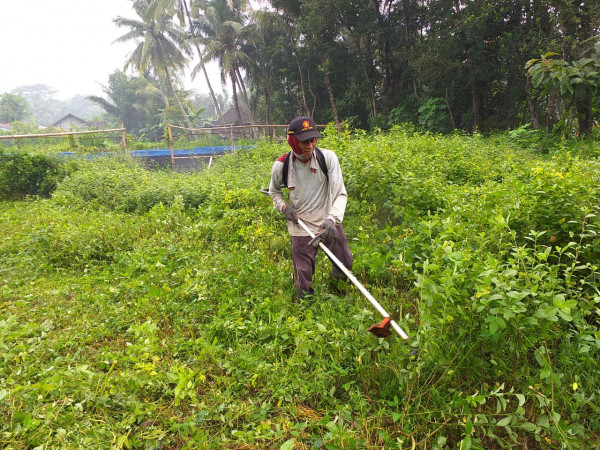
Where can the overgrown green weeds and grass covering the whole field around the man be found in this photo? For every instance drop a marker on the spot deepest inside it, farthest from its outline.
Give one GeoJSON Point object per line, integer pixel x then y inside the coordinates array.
{"type": "Point", "coordinates": [147, 309]}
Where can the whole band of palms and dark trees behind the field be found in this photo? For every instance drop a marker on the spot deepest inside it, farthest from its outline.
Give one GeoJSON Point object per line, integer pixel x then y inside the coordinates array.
{"type": "Point", "coordinates": [442, 65]}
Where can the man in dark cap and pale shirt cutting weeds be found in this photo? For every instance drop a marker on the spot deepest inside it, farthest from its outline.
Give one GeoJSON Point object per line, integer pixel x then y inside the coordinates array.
{"type": "Point", "coordinates": [317, 196]}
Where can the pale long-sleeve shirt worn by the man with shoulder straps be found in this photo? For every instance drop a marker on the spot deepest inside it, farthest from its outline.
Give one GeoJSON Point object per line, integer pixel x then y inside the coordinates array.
{"type": "Point", "coordinates": [314, 198]}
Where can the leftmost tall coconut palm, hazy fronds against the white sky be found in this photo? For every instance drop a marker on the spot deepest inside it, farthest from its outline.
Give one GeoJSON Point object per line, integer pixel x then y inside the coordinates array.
{"type": "Point", "coordinates": [161, 46]}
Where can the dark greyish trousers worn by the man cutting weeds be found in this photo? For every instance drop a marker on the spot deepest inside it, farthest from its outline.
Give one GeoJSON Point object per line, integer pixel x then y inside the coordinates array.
{"type": "Point", "coordinates": [304, 255]}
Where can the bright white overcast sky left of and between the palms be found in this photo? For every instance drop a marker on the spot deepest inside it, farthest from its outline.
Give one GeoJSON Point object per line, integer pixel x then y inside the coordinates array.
{"type": "Point", "coordinates": [68, 45]}
